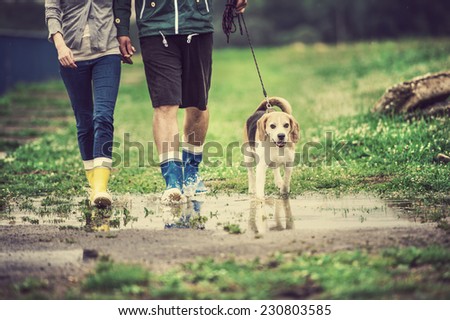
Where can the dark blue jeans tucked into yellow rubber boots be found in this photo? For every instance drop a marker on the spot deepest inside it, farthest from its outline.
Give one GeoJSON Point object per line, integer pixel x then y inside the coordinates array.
{"type": "Point", "coordinates": [92, 89]}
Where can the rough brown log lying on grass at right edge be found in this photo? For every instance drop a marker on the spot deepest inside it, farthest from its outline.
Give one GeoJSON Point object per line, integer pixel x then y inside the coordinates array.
{"type": "Point", "coordinates": [419, 94]}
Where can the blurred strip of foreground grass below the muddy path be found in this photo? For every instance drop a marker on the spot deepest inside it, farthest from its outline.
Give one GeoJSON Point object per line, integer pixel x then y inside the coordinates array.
{"type": "Point", "coordinates": [392, 273]}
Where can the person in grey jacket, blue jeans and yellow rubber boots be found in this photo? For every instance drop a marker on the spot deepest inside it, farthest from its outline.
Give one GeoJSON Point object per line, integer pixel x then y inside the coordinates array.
{"type": "Point", "coordinates": [85, 38]}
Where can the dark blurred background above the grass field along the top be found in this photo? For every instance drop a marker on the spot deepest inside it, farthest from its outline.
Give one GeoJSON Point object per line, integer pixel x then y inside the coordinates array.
{"type": "Point", "coordinates": [285, 21]}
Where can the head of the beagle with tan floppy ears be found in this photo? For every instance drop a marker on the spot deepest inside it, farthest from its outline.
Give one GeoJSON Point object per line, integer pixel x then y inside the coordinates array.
{"type": "Point", "coordinates": [279, 128]}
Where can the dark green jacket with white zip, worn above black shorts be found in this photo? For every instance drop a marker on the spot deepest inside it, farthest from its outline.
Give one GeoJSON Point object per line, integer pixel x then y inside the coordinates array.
{"type": "Point", "coordinates": [169, 17]}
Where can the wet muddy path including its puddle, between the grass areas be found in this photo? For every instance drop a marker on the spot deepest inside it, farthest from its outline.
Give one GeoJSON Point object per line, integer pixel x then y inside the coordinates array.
{"type": "Point", "coordinates": [61, 241]}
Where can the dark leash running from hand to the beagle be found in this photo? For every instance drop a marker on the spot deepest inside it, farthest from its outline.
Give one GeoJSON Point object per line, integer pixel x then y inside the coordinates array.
{"type": "Point", "coordinates": [229, 27]}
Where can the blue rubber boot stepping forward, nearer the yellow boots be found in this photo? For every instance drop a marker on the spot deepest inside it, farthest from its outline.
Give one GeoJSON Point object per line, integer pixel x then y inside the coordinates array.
{"type": "Point", "coordinates": [172, 172]}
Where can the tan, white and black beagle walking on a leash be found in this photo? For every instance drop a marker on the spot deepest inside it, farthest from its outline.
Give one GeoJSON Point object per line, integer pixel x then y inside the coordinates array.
{"type": "Point", "coordinates": [269, 141]}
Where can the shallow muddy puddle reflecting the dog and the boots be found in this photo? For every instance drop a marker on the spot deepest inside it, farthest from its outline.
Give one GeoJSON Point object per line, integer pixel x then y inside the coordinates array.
{"type": "Point", "coordinates": [223, 213]}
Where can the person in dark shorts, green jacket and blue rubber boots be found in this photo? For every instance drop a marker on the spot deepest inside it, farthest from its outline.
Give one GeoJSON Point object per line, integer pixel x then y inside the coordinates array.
{"type": "Point", "coordinates": [176, 38]}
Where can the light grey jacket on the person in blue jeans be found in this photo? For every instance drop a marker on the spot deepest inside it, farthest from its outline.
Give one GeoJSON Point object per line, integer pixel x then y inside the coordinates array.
{"type": "Point", "coordinates": [69, 17]}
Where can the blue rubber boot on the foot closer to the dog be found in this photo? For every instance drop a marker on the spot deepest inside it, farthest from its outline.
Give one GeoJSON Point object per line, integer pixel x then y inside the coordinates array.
{"type": "Point", "coordinates": [193, 185]}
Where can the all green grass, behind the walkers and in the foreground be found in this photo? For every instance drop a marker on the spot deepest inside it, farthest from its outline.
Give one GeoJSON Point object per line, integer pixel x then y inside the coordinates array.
{"type": "Point", "coordinates": [344, 149]}
